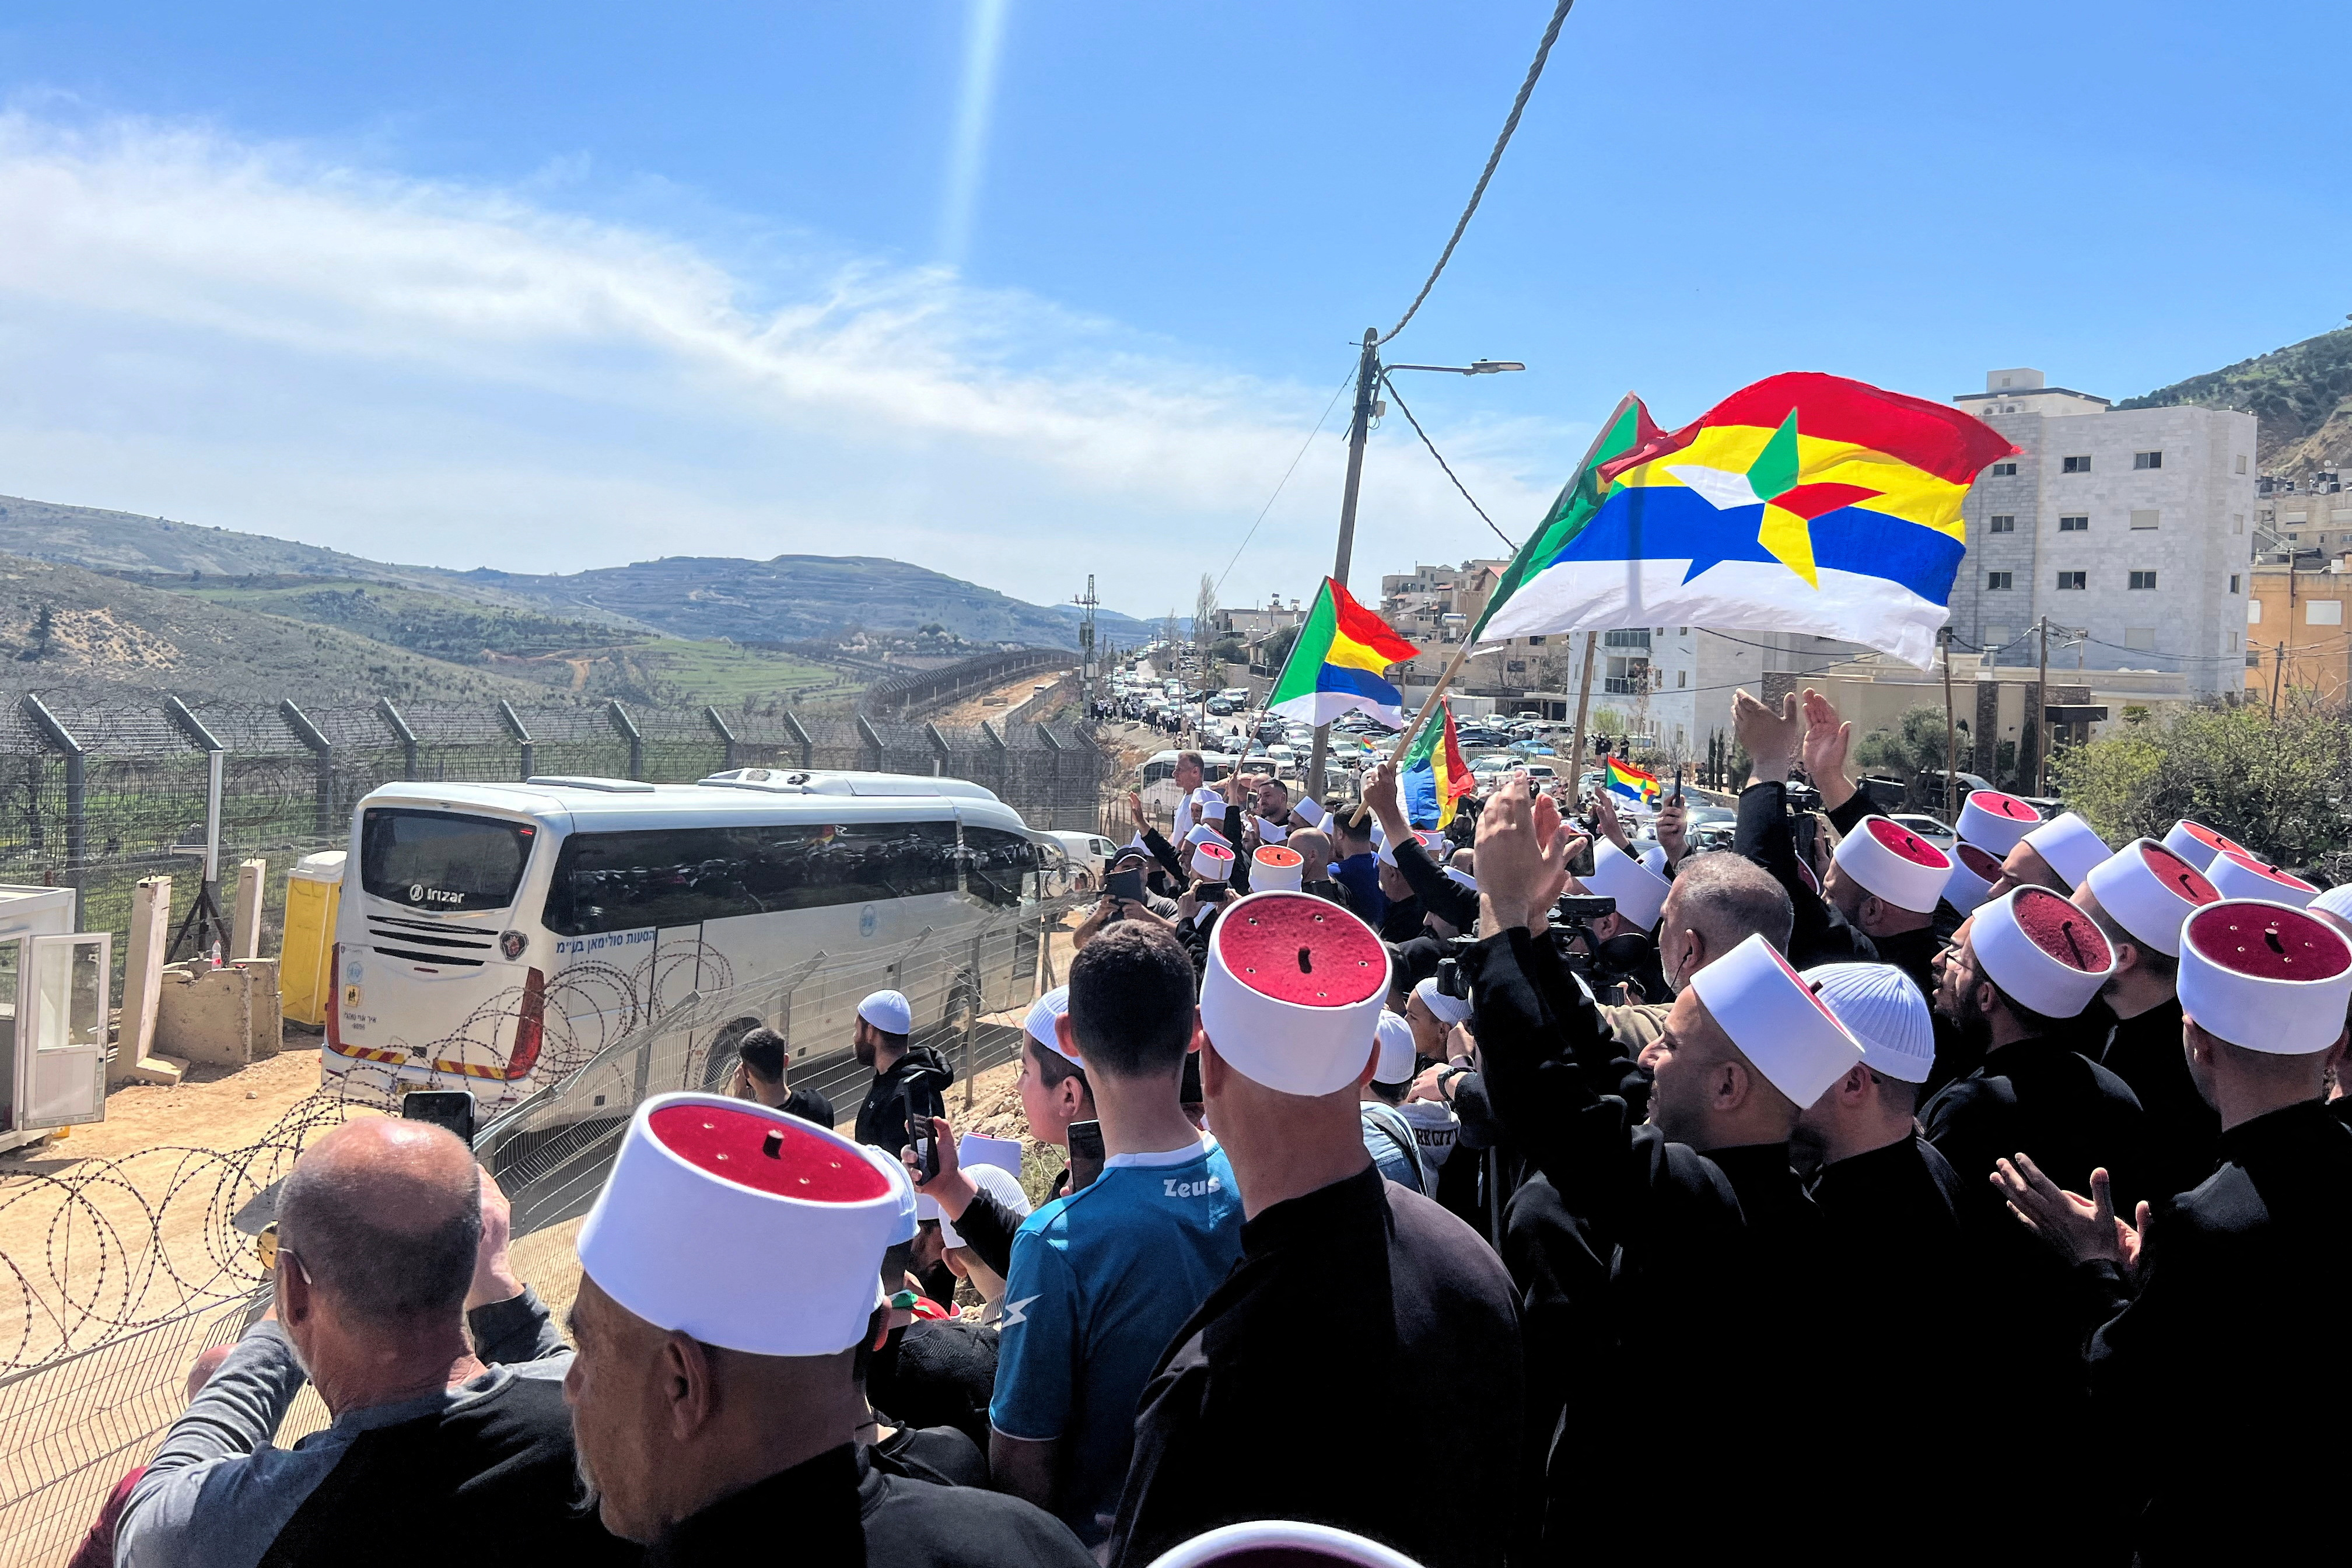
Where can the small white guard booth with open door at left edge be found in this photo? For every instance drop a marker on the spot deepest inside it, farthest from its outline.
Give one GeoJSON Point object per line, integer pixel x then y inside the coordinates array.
{"type": "Point", "coordinates": [53, 1014]}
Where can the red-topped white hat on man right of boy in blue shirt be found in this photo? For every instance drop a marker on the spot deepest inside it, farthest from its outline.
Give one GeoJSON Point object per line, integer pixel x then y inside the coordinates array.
{"type": "Point", "coordinates": [1292, 993]}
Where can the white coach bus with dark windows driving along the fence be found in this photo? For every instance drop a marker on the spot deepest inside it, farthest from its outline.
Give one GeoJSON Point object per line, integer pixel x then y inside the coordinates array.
{"type": "Point", "coordinates": [497, 937]}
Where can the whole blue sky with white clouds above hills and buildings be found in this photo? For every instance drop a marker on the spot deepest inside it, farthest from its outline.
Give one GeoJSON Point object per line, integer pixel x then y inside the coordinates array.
{"type": "Point", "coordinates": [554, 288]}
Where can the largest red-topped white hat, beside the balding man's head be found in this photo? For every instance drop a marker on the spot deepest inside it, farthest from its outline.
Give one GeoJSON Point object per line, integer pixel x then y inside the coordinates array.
{"type": "Point", "coordinates": [747, 1228]}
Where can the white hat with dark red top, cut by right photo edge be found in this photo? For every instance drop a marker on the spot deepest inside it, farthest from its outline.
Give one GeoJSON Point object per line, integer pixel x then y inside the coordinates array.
{"type": "Point", "coordinates": [2266, 977]}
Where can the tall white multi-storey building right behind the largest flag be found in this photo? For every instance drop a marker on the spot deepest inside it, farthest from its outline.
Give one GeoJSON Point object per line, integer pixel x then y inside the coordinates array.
{"type": "Point", "coordinates": [2127, 528]}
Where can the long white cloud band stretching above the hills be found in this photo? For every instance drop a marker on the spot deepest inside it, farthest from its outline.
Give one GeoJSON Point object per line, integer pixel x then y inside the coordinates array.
{"type": "Point", "coordinates": [432, 373]}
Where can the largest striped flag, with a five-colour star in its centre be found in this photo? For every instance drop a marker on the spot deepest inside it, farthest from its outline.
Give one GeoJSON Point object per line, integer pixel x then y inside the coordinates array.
{"type": "Point", "coordinates": [1800, 504]}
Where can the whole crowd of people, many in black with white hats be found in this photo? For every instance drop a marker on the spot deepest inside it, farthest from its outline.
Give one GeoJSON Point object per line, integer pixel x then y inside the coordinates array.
{"type": "Point", "coordinates": [1506, 1195]}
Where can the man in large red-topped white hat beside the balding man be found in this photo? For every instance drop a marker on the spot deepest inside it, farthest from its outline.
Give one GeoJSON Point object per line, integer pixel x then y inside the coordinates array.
{"type": "Point", "coordinates": [730, 1285]}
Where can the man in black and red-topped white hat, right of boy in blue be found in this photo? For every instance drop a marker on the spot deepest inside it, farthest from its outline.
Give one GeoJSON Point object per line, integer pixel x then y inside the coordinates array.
{"type": "Point", "coordinates": [1288, 1038]}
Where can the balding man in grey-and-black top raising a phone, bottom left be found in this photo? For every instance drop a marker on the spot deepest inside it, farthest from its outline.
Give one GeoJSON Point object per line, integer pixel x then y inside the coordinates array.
{"type": "Point", "coordinates": [389, 1247]}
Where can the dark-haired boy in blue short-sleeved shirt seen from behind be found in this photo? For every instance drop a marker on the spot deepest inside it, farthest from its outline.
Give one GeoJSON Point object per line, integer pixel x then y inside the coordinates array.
{"type": "Point", "coordinates": [1104, 1278]}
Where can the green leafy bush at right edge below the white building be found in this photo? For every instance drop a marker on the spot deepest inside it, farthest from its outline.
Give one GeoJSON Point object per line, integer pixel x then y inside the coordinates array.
{"type": "Point", "coordinates": [2283, 786]}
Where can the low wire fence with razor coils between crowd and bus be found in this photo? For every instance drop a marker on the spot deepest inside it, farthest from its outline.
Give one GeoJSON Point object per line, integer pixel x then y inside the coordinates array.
{"type": "Point", "coordinates": [121, 1273]}
